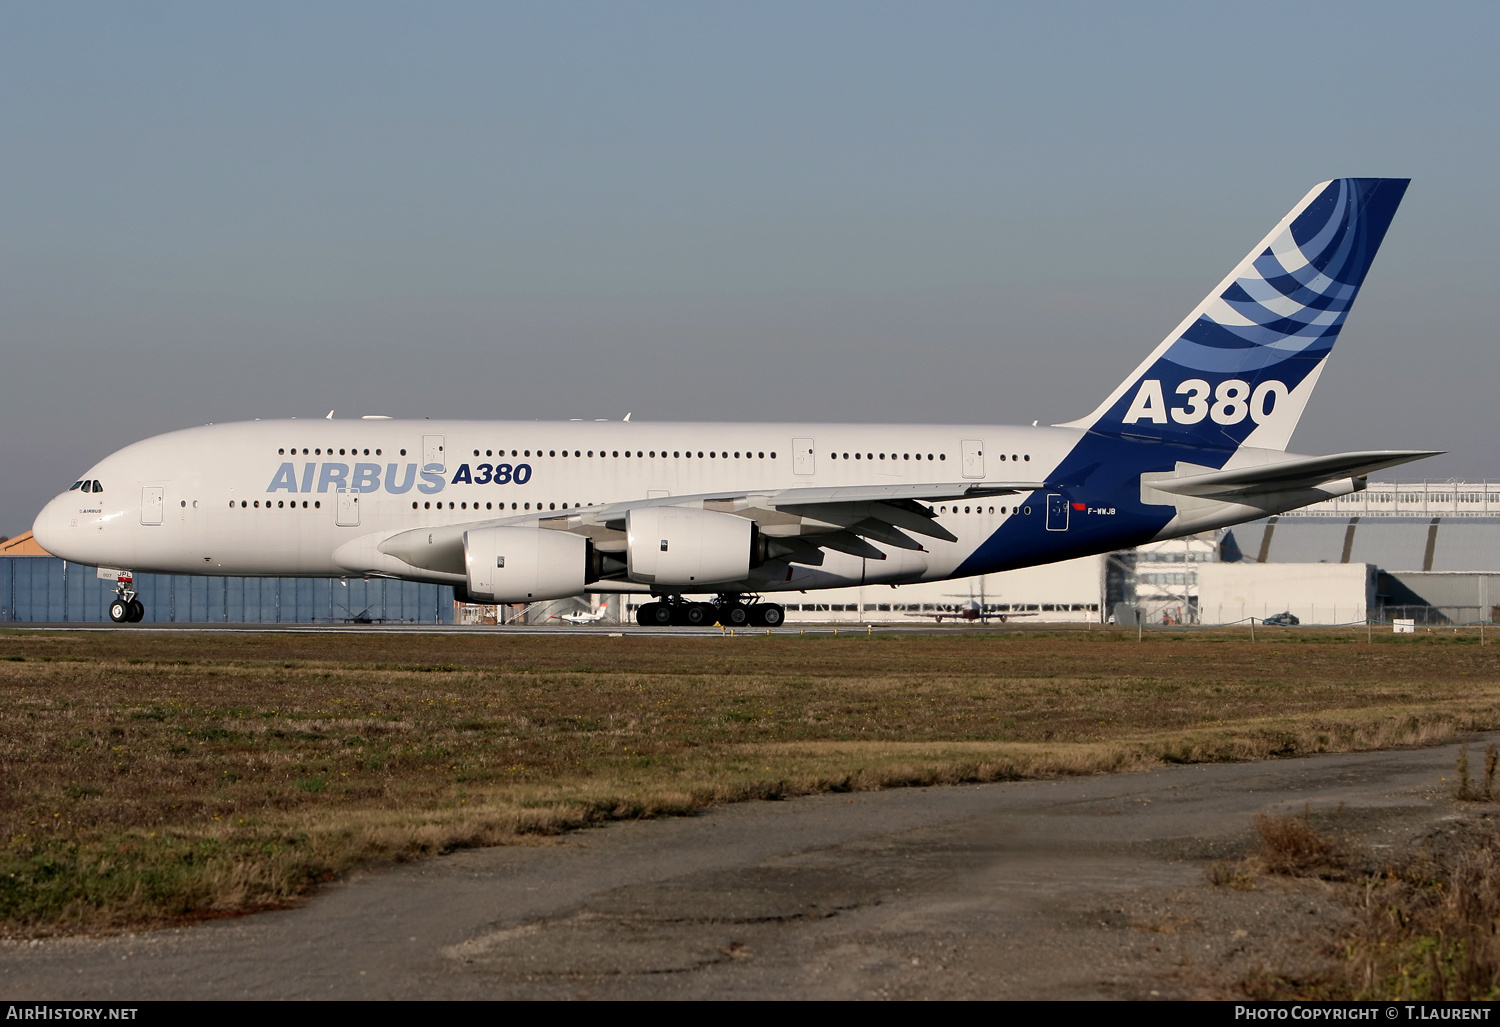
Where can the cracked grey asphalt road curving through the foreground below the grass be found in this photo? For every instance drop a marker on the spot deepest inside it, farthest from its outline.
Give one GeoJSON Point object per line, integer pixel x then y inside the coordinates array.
{"type": "Point", "coordinates": [1072, 888]}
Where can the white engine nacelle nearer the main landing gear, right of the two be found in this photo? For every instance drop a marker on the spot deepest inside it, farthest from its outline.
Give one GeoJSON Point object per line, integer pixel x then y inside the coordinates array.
{"type": "Point", "coordinates": [688, 548]}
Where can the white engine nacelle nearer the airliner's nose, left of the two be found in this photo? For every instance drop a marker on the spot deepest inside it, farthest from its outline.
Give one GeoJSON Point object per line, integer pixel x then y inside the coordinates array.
{"type": "Point", "coordinates": [524, 564]}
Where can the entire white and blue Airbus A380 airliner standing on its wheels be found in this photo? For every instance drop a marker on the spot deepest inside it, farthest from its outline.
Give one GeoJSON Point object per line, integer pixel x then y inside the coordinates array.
{"type": "Point", "coordinates": [515, 512]}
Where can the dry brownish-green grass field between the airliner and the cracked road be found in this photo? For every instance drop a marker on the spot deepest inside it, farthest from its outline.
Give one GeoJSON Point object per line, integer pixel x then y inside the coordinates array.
{"type": "Point", "coordinates": [146, 779]}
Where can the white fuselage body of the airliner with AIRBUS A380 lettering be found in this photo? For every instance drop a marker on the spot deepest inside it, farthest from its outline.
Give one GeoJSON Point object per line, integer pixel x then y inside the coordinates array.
{"type": "Point", "coordinates": [281, 499]}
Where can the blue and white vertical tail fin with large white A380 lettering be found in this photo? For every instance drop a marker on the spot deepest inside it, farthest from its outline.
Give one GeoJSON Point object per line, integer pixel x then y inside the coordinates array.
{"type": "Point", "coordinates": [1240, 370]}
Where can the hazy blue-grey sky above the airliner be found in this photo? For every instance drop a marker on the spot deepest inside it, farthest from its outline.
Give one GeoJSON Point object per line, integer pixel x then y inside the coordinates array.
{"type": "Point", "coordinates": [934, 212]}
